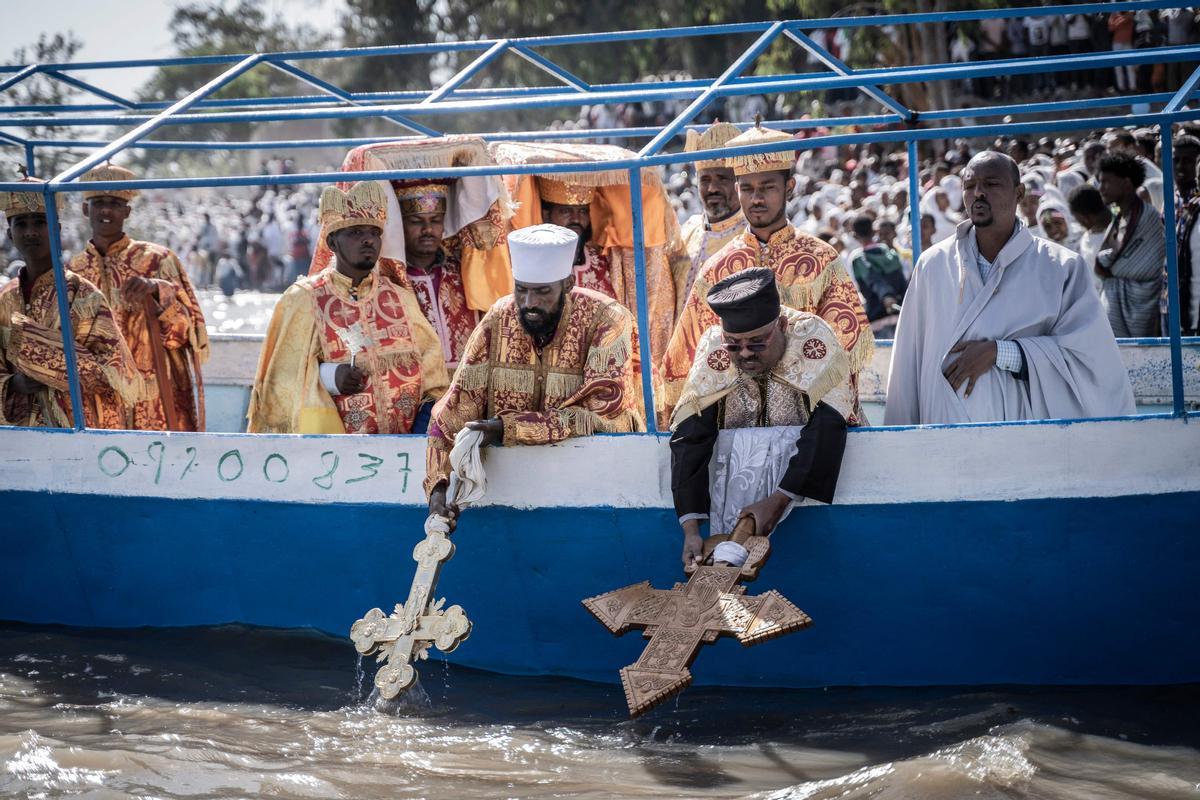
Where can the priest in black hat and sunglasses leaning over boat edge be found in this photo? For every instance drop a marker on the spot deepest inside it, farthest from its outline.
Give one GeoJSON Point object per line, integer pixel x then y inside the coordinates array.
{"type": "Point", "coordinates": [764, 366]}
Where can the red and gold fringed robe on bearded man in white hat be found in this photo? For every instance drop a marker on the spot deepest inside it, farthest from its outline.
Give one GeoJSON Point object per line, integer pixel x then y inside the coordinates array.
{"type": "Point", "coordinates": [581, 383]}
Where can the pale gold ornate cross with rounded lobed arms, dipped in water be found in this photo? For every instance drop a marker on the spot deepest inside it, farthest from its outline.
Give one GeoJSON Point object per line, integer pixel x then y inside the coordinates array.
{"type": "Point", "coordinates": [413, 627]}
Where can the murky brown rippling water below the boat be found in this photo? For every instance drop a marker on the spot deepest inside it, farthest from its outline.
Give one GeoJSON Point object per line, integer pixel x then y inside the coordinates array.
{"type": "Point", "coordinates": [245, 713]}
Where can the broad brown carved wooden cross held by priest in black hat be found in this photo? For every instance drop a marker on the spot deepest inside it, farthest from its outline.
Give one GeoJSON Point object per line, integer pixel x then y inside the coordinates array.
{"type": "Point", "coordinates": [680, 621]}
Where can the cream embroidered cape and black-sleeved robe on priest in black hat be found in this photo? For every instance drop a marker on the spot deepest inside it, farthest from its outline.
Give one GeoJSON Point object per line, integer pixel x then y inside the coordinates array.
{"type": "Point", "coordinates": [809, 388]}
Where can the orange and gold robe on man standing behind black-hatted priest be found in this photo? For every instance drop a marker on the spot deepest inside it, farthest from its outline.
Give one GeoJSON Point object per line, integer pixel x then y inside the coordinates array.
{"type": "Point", "coordinates": [812, 279]}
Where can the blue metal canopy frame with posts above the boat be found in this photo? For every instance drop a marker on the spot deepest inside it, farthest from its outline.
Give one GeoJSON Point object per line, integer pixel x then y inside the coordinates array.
{"type": "Point", "coordinates": [454, 98]}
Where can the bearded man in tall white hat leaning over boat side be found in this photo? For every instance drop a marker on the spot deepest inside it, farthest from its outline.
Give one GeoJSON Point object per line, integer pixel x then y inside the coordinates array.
{"type": "Point", "coordinates": [547, 363]}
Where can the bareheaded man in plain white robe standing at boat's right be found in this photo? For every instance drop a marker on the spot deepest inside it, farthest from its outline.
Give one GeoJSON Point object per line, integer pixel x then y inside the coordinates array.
{"type": "Point", "coordinates": [999, 326]}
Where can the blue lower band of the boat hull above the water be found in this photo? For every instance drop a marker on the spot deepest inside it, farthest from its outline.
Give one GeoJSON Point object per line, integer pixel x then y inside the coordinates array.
{"type": "Point", "coordinates": [1063, 591]}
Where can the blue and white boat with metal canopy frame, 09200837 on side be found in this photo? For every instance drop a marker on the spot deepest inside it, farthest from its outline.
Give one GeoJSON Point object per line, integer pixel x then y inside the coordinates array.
{"type": "Point", "coordinates": [1047, 552]}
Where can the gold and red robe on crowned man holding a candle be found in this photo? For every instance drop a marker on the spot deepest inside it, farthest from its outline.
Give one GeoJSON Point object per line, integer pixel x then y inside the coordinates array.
{"type": "Point", "coordinates": [325, 320]}
